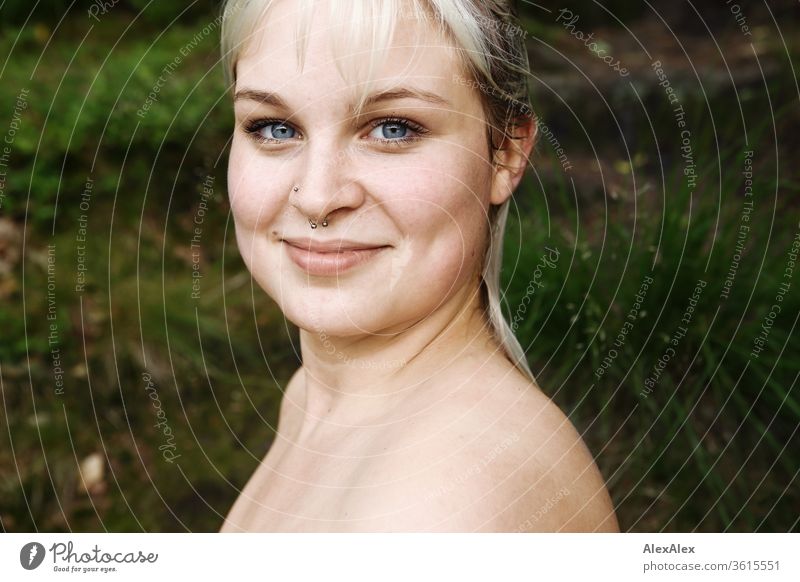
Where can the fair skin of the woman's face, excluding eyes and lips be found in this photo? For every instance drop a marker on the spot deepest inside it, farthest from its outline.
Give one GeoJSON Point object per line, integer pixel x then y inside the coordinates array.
{"type": "Point", "coordinates": [428, 200]}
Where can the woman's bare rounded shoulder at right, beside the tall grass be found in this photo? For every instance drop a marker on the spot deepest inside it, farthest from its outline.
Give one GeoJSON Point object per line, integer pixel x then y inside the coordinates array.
{"type": "Point", "coordinates": [509, 461]}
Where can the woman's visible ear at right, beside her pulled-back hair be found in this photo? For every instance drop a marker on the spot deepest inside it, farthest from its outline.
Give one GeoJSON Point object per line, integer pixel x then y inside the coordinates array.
{"type": "Point", "coordinates": [511, 159]}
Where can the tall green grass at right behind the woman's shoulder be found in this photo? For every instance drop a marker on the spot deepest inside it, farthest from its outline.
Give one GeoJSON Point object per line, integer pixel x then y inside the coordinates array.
{"type": "Point", "coordinates": [711, 447]}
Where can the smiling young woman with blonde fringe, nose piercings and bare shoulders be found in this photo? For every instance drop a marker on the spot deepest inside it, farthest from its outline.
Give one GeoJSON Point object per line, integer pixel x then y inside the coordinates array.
{"type": "Point", "coordinates": [376, 147]}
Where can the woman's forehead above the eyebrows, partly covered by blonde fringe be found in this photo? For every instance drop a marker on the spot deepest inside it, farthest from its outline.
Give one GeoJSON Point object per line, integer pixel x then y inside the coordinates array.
{"type": "Point", "coordinates": [333, 56]}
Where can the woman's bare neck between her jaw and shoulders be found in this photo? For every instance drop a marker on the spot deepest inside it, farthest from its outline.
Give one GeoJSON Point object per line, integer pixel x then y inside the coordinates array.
{"type": "Point", "coordinates": [354, 379]}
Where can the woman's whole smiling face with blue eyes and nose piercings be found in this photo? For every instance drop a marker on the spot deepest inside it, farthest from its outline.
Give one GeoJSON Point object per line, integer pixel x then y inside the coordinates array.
{"type": "Point", "coordinates": [406, 183]}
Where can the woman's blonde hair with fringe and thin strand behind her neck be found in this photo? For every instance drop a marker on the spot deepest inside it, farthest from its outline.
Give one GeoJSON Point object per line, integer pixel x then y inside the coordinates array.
{"type": "Point", "coordinates": [492, 51]}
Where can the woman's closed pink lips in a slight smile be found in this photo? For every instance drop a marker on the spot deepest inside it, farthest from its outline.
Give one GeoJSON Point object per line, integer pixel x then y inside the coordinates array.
{"type": "Point", "coordinates": [330, 258]}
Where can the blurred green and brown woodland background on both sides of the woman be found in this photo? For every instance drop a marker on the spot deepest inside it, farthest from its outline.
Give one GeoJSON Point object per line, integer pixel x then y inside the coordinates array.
{"type": "Point", "coordinates": [98, 201]}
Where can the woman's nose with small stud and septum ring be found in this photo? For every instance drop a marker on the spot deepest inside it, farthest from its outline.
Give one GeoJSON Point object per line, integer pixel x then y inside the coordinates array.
{"type": "Point", "coordinates": [326, 186]}
